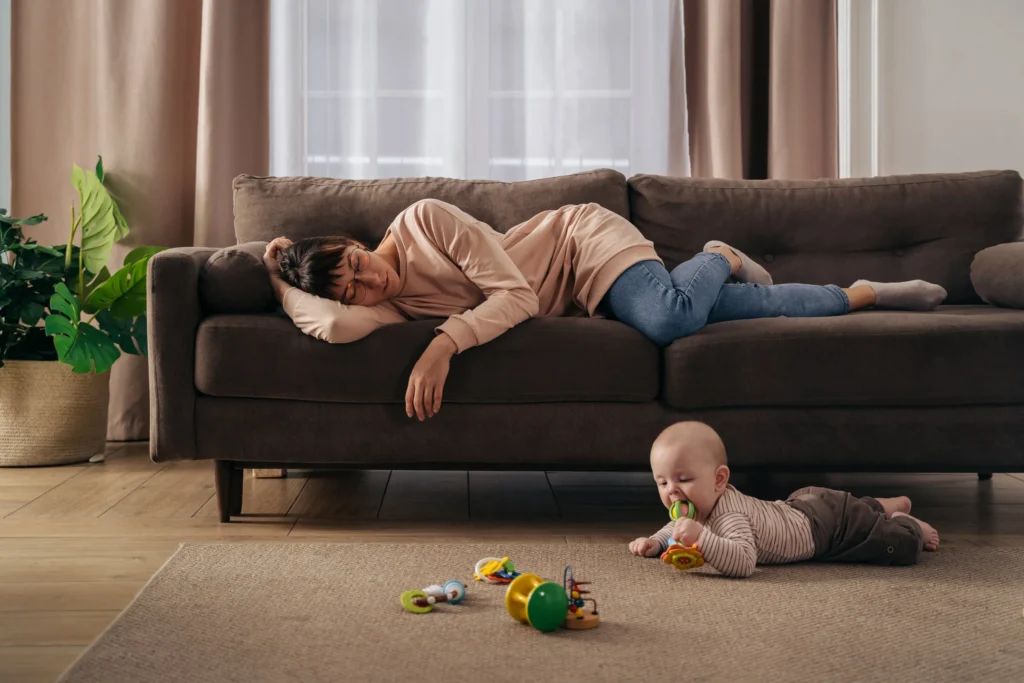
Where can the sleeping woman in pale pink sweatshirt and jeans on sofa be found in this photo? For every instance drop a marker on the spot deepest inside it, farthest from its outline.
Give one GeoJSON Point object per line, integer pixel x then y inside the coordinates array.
{"type": "Point", "coordinates": [438, 262]}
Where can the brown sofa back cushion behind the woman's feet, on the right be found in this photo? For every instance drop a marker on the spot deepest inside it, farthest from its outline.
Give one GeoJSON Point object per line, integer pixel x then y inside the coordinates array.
{"type": "Point", "coordinates": [838, 231]}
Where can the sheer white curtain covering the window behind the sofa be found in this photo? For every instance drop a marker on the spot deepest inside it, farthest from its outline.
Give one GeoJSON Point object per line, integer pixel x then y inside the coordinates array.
{"type": "Point", "coordinates": [500, 90]}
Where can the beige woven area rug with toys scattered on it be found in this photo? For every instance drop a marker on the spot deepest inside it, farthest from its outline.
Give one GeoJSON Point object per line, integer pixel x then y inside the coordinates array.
{"type": "Point", "coordinates": [331, 613]}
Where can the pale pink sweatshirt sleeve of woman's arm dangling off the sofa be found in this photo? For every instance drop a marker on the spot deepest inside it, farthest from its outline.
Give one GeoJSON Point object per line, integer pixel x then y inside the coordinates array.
{"type": "Point", "coordinates": [482, 259]}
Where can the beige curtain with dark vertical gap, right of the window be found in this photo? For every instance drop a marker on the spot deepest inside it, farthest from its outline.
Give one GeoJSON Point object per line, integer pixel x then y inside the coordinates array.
{"type": "Point", "coordinates": [761, 89]}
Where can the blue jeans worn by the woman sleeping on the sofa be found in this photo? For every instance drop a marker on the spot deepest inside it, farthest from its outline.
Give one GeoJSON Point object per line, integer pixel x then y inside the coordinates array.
{"type": "Point", "coordinates": [667, 306]}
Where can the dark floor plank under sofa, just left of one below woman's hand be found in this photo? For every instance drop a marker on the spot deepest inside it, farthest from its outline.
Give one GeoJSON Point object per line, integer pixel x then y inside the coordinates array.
{"type": "Point", "coordinates": [342, 495]}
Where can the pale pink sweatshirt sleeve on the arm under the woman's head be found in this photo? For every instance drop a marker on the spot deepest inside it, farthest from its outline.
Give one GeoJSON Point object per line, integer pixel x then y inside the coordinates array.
{"type": "Point", "coordinates": [332, 321]}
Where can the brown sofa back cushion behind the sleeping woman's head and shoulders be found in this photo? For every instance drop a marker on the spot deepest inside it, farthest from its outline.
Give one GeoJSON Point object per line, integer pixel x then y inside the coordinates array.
{"type": "Point", "coordinates": [302, 207]}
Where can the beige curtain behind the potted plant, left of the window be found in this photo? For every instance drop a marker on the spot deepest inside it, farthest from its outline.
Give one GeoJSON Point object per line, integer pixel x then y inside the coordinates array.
{"type": "Point", "coordinates": [174, 94]}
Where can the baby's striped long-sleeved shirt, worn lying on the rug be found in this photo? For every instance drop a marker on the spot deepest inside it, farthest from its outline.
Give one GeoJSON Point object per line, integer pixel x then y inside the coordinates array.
{"type": "Point", "coordinates": [743, 532]}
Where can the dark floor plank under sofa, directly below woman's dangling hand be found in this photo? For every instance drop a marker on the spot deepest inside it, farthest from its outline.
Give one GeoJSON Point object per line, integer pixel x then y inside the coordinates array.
{"type": "Point", "coordinates": [426, 496]}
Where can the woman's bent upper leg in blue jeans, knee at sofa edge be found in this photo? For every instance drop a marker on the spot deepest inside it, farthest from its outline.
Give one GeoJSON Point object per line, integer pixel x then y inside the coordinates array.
{"type": "Point", "coordinates": [666, 307]}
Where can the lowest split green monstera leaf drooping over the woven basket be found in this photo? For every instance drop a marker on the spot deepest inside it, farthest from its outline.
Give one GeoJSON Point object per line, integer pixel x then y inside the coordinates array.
{"type": "Point", "coordinates": [82, 347]}
